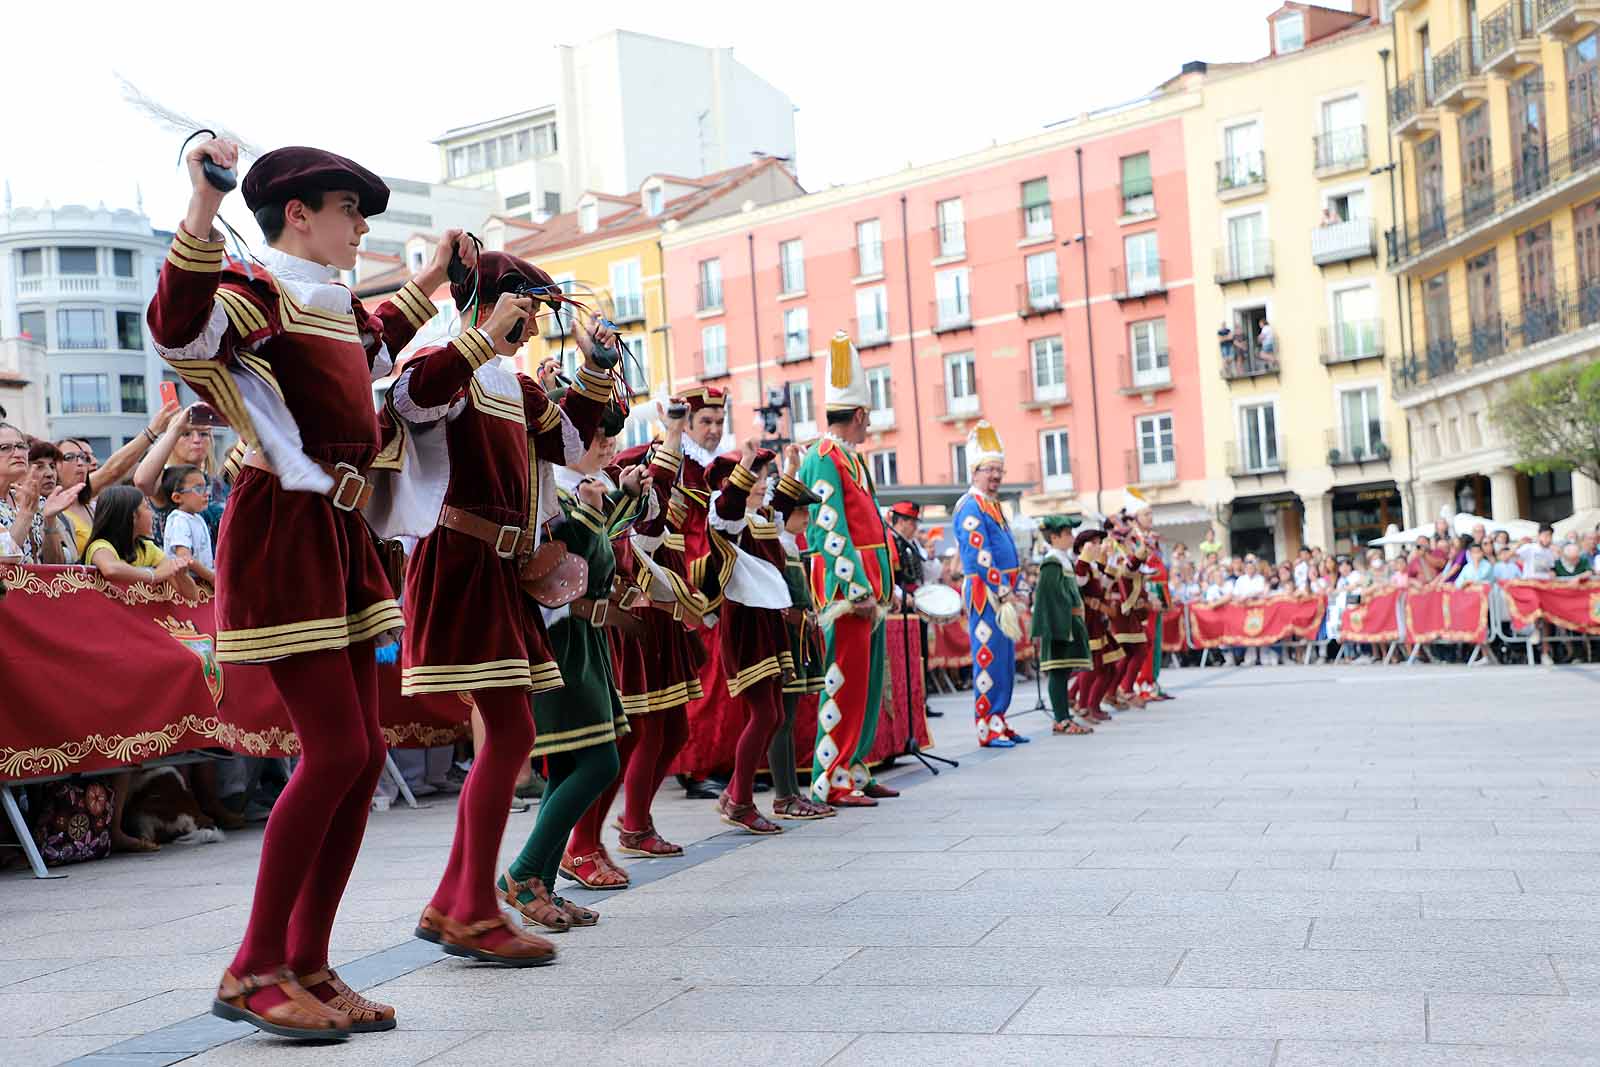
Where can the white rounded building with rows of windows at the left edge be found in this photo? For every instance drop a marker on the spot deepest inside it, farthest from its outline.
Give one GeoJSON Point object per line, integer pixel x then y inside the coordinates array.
{"type": "Point", "coordinates": [78, 281]}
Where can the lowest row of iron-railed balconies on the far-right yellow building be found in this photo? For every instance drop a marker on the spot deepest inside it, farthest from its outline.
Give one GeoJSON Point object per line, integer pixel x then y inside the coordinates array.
{"type": "Point", "coordinates": [1497, 337]}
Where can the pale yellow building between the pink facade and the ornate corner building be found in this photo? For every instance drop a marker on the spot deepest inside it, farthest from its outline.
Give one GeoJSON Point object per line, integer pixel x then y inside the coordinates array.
{"type": "Point", "coordinates": [1295, 308]}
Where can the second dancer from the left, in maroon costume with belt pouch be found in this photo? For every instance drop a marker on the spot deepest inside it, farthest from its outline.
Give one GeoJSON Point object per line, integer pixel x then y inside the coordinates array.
{"type": "Point", "coordinates": [473, 626]}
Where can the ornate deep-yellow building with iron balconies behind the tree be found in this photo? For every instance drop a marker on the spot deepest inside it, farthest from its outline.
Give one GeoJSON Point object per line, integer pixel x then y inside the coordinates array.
{"type": "Point", "coordinates": [1495, 110]}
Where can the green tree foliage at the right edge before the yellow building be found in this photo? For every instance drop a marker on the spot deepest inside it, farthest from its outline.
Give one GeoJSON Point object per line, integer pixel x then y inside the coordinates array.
{"type": "Point", "coordinates": [1551, 420]}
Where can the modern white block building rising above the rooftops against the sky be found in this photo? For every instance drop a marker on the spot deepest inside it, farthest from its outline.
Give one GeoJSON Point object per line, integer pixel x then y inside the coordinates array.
{"type": "Point", "coordinates": [630, 106]}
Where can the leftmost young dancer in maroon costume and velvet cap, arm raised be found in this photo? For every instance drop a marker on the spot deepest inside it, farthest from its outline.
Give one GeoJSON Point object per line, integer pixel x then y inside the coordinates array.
{"type": "Point", "coordinates": [289, 356]}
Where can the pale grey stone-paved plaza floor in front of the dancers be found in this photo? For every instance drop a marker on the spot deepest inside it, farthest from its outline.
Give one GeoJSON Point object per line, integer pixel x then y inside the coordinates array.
{"type": "Point", "coordinates": [1287, 866]}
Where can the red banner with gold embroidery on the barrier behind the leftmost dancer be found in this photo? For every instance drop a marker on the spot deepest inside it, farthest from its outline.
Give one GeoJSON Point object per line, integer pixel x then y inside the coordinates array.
{"type": "Point", "coordinates": [98, 676]}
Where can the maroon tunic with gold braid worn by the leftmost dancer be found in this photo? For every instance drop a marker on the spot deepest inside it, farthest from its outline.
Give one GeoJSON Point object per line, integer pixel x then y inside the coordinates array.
{"type": "Point", "coordinates": [246, 342]}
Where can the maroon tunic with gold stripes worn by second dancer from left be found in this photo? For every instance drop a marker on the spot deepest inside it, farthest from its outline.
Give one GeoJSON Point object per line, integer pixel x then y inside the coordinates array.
{"type": "Point", "coordinates": [473, 628]}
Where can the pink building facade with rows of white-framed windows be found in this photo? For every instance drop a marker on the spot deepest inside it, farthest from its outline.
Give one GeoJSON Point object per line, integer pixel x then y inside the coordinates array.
{"type": "Point", "coordinates": [964, 289]}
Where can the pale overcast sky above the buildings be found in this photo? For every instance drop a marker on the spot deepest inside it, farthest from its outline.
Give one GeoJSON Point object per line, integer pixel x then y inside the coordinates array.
{"type": "Point", "coordinates": [878, 86]}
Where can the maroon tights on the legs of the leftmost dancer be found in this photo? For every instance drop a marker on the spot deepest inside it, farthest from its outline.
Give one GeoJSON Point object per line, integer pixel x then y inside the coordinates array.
{"type": "Point", "coordinates": [316, 829]}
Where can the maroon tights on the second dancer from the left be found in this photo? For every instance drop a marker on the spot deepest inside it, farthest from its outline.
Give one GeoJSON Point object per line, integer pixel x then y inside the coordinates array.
{"type": "Point", "coordinates": [466, 892]}
